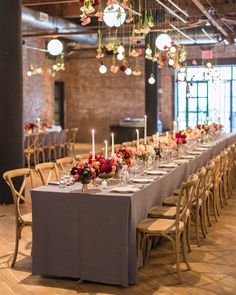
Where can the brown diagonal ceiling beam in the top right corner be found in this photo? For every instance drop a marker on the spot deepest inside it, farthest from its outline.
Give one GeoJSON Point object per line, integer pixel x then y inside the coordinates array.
{"type": "Point", "coordinates": [215, 22]}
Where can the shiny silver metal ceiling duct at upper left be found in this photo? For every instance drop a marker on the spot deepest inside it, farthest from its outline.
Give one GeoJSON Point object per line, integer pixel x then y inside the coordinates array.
{"type": "Point", "coordinates": [43, 21]}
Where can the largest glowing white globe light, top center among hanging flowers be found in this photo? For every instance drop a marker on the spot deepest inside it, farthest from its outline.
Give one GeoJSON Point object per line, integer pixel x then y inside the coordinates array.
{"type": "Point", "coordinates": [114, 15]}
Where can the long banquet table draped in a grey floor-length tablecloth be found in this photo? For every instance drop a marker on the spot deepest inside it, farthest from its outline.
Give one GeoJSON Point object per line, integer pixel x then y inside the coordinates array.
{"type": "Point", "coordinates": [92, 236]}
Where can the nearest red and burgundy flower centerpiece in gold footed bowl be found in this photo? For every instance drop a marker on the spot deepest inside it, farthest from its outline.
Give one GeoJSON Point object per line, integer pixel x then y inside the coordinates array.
{"type": "Point", "coordinates": [84, 172]}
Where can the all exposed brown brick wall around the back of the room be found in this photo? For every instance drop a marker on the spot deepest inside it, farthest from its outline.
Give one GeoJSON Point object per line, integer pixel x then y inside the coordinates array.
{"type": "Point", "coordinates": [97, 101]}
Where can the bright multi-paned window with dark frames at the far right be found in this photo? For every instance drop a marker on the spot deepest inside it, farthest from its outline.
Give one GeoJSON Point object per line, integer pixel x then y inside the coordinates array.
{"type": "Point", "coordinates": [206, 94]}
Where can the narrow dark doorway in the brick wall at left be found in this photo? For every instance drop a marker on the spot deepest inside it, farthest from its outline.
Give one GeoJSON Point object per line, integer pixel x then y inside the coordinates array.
{"type": "Point", "coordinates": [59, 104]}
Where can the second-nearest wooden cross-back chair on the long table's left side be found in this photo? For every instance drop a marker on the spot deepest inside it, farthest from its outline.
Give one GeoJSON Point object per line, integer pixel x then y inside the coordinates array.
{"type": "Point", "coordinates": [46, 172]}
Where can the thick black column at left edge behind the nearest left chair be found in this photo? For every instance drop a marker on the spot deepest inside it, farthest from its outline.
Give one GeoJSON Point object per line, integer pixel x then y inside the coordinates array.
{"type": "Point", "coordinates": [11, 97]}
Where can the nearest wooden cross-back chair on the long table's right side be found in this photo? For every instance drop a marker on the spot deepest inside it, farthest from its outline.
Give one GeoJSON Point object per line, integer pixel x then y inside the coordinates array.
{"type": "Point", "coordinates": [172, 229]}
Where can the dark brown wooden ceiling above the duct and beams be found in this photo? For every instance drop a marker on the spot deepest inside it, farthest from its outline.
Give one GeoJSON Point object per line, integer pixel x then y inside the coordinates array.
{"type": "Point", "coordinates": [220, 13]}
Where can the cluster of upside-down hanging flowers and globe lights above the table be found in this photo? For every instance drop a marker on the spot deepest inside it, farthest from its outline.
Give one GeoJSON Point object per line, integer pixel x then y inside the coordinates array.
{"type": "Point", "coordinates": [123, 30]}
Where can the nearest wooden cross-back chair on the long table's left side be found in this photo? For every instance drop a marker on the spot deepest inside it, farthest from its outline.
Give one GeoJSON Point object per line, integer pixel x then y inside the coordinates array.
{"type": "Point", "coordinates": [22, 220]}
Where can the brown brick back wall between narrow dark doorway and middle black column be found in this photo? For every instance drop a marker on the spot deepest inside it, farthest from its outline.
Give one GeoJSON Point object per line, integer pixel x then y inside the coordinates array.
{"type": "Point", "coordinates": [97, 101]}
